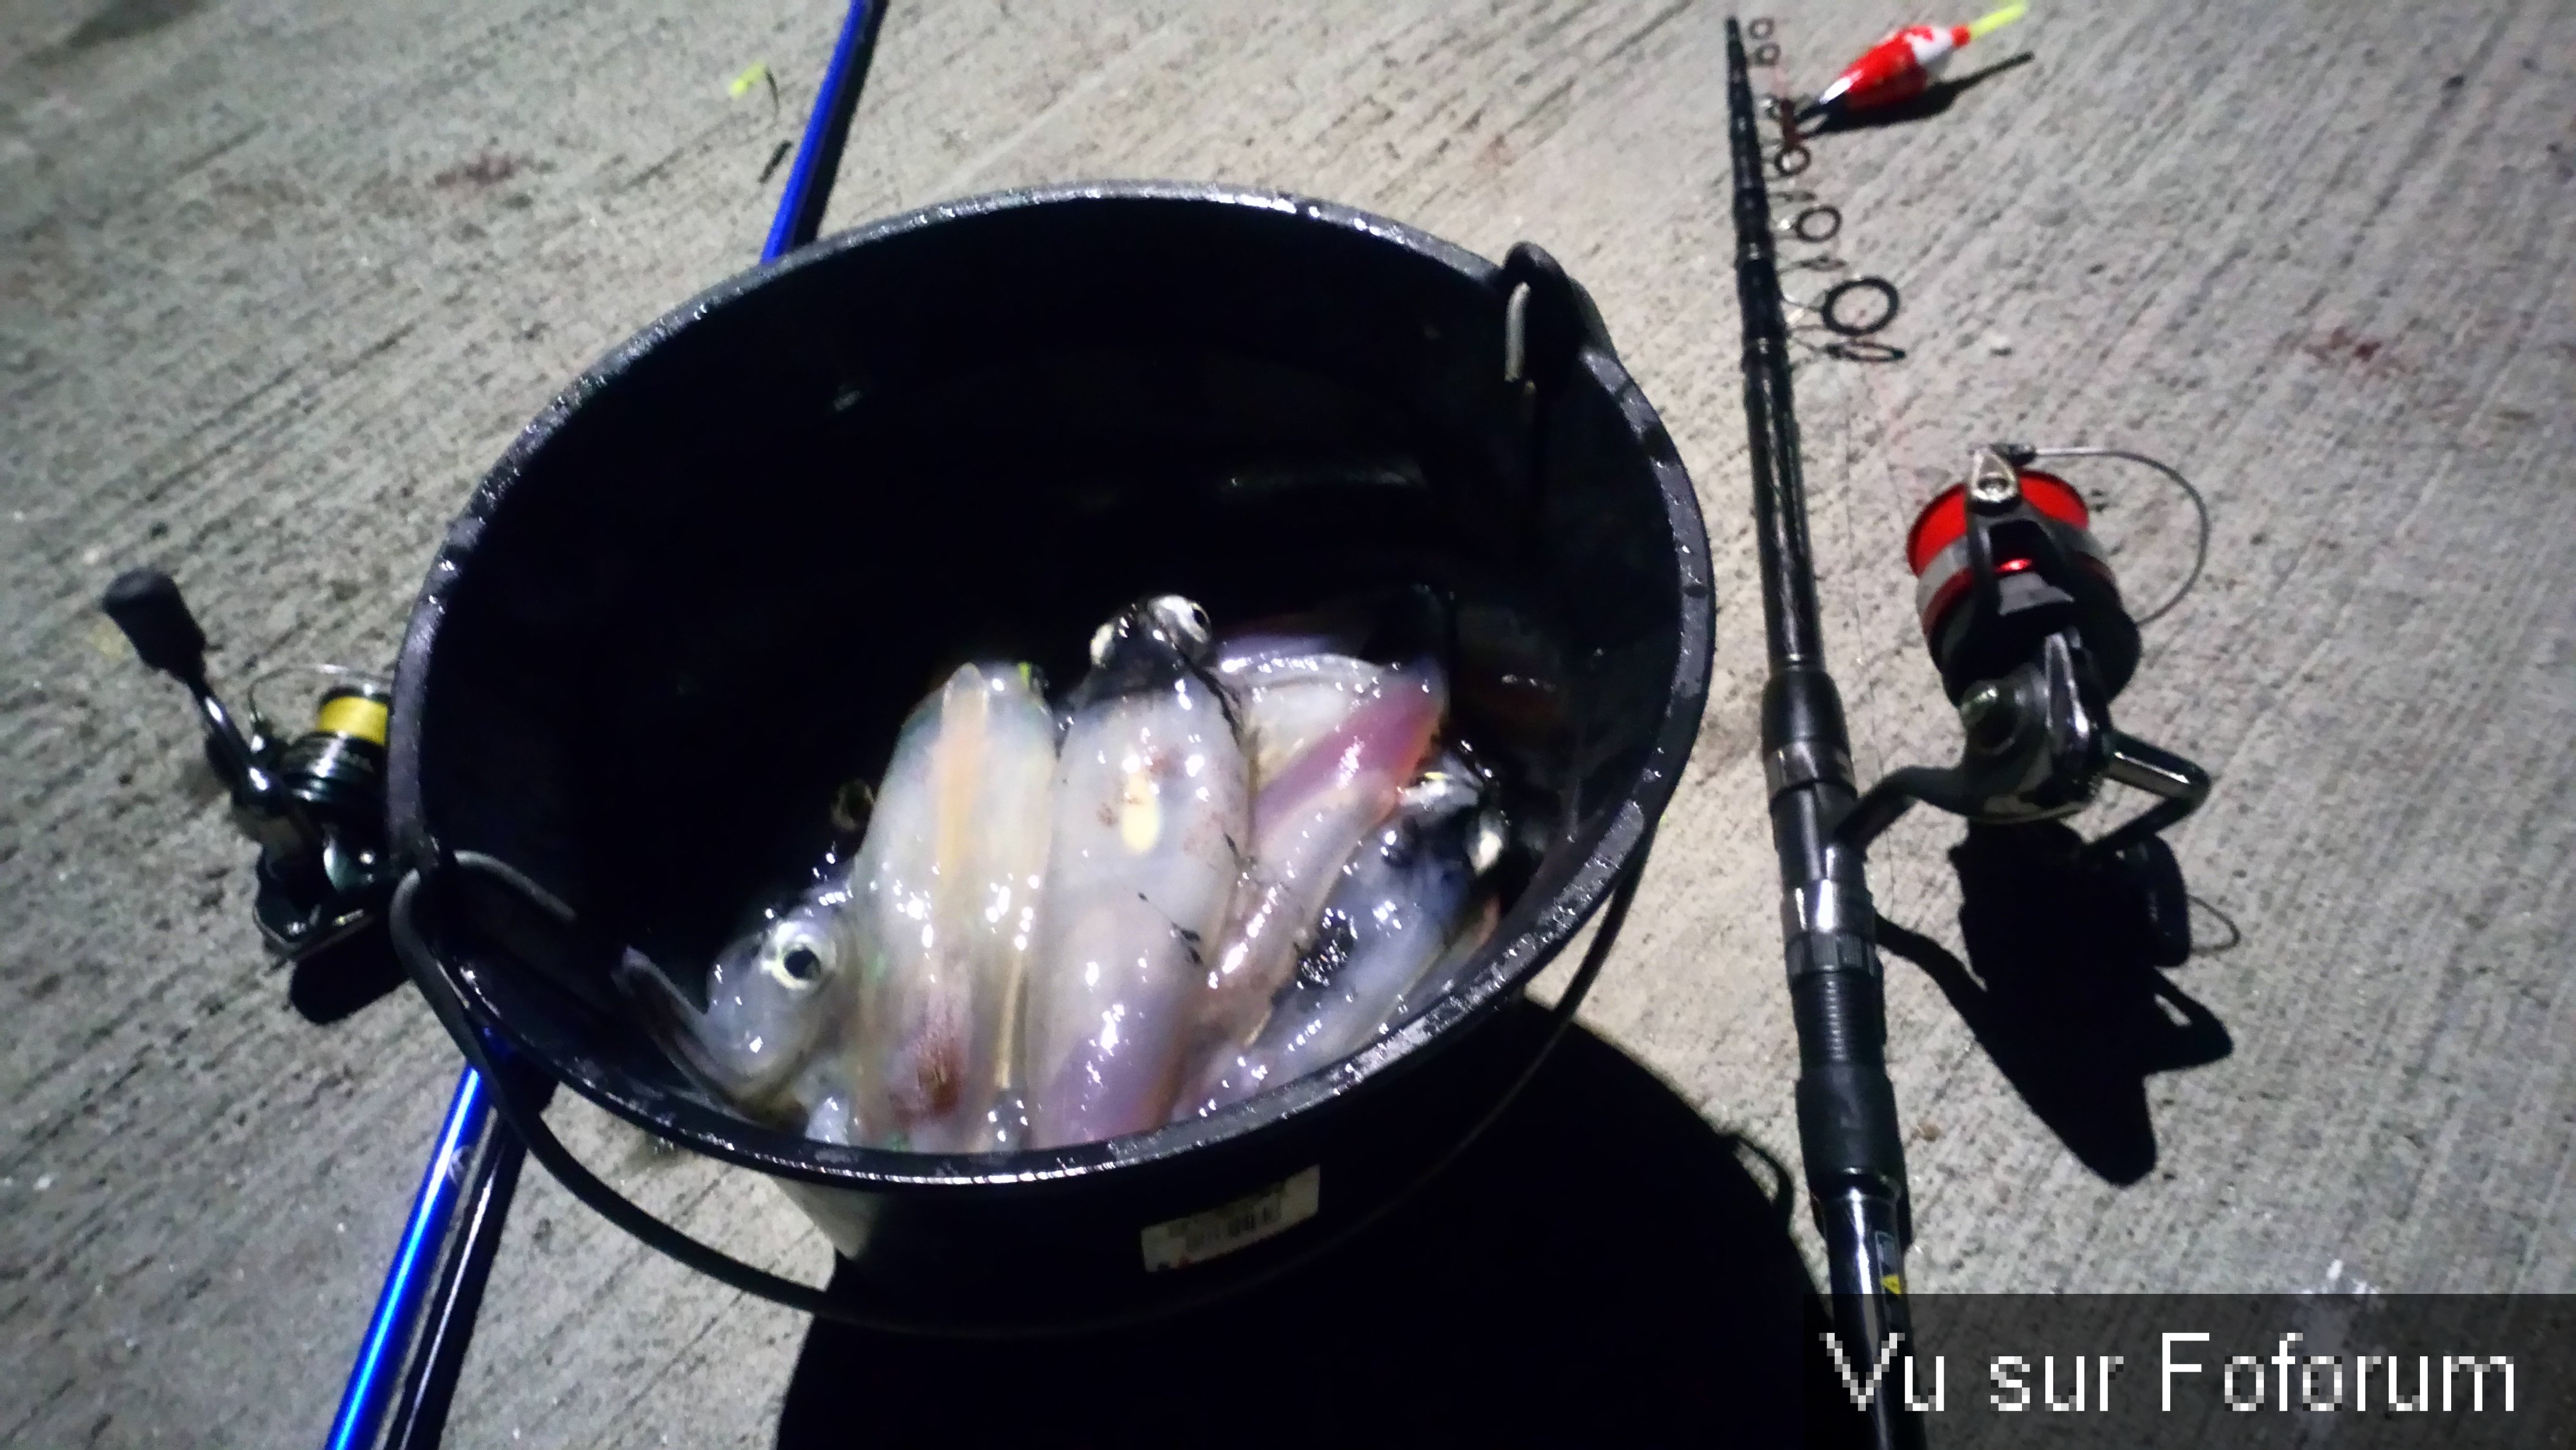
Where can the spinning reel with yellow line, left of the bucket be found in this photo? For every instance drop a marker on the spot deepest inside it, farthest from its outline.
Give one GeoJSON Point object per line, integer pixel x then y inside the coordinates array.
{"type": "Point", "coordinates": [313, 805]}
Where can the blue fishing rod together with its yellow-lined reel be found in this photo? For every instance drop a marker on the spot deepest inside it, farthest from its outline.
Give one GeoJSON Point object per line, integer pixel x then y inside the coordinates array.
{"type": "Point", "coordinates": [326, 874]}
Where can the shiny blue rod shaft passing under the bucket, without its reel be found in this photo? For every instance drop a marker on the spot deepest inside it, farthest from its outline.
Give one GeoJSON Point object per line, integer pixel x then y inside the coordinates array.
{"type": "Point", "coordinates": [434, 1289]}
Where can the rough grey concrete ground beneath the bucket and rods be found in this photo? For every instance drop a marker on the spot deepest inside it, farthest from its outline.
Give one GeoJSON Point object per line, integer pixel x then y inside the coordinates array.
{"type": "Point", "coordinates": [279, 282]}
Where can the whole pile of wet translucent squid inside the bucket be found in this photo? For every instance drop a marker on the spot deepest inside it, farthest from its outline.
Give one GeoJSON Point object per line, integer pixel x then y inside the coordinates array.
{"type": "Point", "coordinates": [1220, 867]}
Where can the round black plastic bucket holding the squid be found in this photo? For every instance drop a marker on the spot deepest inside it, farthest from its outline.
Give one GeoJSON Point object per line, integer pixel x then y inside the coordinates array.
{"type": "Point", "coordinates": [715, 576]}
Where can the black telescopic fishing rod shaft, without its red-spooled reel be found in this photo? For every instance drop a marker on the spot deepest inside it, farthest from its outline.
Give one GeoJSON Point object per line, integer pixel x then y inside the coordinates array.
{"type": "Point", "coordinates": [1856, 1168]}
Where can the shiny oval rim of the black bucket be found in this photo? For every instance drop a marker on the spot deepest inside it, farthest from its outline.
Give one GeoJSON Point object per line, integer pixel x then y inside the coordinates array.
{"type": "Point", "coordinates": [1606, 846]}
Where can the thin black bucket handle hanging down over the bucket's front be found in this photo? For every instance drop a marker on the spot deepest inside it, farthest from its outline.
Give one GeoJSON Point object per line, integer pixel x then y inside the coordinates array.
{"type": "Point", "coordinates": [522, 1109]}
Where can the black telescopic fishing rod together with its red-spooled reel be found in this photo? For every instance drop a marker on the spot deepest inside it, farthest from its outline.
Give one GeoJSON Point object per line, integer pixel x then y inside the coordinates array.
{"type": "Point", "coordinates": [2023, 617]}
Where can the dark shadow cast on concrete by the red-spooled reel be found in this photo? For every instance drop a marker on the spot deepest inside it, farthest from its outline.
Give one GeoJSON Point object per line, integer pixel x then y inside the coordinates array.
{"type": "Point", "coordinates": [2065, 983]}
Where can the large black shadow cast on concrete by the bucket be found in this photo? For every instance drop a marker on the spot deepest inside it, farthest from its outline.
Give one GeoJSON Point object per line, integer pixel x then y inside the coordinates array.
{"type": "Point", "coordinates": [1601, 1268]}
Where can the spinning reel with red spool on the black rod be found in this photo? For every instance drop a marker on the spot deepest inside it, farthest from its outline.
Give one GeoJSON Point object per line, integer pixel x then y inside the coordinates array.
{"type": "Point", "coordinates": [2026, 622]}
